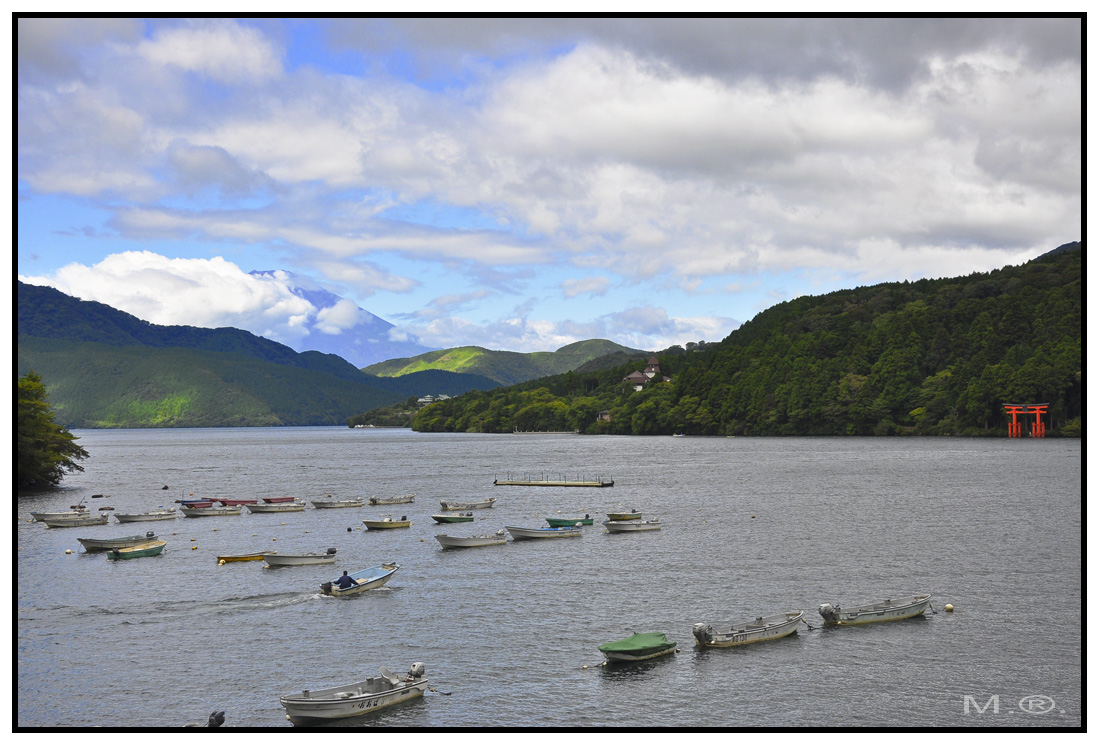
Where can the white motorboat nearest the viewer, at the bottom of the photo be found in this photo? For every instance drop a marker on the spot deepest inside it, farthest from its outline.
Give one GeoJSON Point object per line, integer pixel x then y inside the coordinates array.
{"type": "Point", "coordinates": [356, 699]}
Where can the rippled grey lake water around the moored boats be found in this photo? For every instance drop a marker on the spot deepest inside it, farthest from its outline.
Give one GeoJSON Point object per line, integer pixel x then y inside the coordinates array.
{"type": "Point", "coordinates": [752, 527]}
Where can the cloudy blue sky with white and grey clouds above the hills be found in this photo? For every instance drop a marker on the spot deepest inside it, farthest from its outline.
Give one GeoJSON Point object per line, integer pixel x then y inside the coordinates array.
{"type": "Point", "coordinates": [525, 184]}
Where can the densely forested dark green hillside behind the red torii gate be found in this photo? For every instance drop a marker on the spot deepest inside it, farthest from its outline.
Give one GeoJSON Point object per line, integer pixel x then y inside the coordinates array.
{"type": "Point", "coordinates": [933, 358]}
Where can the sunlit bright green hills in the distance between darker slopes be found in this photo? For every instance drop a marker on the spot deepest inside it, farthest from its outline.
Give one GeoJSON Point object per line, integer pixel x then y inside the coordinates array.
{"type": "Point", "coordinates": [505, 368]}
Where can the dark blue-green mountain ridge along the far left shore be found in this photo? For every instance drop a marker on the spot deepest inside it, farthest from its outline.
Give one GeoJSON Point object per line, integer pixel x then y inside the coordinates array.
{"type": "Point", "coordinates": [106, 369]}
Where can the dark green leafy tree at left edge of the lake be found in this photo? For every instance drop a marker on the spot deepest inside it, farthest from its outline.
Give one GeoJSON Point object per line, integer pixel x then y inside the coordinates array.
{"type": "Point", "coordinates": [45, 451]}
